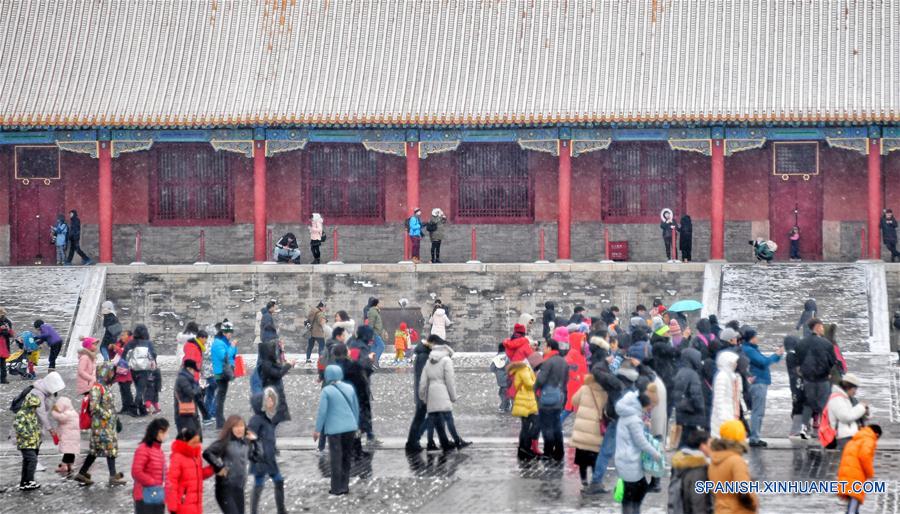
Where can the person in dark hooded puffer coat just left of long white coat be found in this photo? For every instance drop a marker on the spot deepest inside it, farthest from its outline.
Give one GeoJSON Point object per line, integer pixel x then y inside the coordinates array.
{"type": "Point", "coordinates": [690, 395]}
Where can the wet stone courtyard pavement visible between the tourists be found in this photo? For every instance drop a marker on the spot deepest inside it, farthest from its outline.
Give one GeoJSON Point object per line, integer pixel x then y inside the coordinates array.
{"type": "Point", "coordinates": [483, 478]}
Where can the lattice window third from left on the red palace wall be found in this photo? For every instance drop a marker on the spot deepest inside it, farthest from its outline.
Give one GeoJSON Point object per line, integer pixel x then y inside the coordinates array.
{"type": "Point", "coordinates": [493, 184]}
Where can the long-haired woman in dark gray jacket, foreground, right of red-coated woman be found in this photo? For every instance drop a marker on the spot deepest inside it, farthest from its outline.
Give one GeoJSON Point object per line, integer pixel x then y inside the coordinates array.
{"type": "Point", "coordinates": [229, 455]}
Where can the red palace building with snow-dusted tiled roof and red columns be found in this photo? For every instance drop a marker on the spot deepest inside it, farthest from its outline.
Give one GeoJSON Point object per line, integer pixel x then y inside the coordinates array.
{"type": "Point", "coordinates": [192, 129]}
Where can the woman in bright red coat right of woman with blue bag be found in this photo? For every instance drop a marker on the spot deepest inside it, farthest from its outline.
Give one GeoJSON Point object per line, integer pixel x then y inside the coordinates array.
{"type": "Point", "coordinates": [184, 484]}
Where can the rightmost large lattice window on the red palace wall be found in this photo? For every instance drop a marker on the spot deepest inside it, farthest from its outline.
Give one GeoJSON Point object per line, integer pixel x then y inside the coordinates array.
{"type": "Point", "coordinates": [639, 181]}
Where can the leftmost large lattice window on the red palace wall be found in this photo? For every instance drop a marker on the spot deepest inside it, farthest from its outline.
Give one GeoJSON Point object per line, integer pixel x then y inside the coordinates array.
{"type": "Point", "coordinates": [193, 186]}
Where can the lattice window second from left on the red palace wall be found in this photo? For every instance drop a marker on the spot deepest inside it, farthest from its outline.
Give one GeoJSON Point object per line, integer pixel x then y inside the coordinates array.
{"type": "Point", "coordinates": [343, 184]}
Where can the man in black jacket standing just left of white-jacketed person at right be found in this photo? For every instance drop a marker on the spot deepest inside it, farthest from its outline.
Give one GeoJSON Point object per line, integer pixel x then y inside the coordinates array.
{"type": "Point", "coordinates": [816, 357]}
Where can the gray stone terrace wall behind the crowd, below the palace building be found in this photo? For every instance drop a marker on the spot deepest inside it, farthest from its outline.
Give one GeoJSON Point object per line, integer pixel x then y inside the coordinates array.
{"type": "Point", "coordinates": [484, 300]}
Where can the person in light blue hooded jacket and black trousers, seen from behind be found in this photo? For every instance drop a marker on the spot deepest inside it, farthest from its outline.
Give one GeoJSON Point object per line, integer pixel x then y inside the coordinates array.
{"type": "Point", "coordinates": [338, 420]}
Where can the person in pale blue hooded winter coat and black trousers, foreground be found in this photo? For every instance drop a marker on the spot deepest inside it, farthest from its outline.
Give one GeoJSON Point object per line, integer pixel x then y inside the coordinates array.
{"type": "Point", "coordinates": [631, 442]}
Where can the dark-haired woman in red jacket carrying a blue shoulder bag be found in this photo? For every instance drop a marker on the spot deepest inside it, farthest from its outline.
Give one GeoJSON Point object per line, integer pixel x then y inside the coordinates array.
{"type": "Point", "coordinates": [148, 470]}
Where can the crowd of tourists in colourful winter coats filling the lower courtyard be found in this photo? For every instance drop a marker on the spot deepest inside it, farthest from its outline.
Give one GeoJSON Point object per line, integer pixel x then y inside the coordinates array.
{"type": "Point", "coordinates": [635, 385]}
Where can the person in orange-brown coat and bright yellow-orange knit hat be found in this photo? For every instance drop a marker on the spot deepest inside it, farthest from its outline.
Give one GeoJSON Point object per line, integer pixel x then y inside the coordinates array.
{"type": "Point", "coordinates": [727, 465]}
